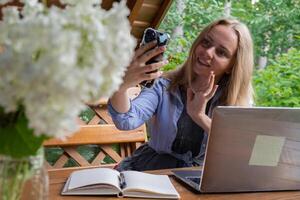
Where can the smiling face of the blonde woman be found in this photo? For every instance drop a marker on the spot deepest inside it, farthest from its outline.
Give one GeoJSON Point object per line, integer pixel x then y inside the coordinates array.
{"type": "Point", "coordinates": [216, 52]}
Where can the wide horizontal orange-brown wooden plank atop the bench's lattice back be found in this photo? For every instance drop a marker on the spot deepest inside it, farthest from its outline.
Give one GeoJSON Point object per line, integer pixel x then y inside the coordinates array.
{"type": "Point", "coordinates": [99, 134]}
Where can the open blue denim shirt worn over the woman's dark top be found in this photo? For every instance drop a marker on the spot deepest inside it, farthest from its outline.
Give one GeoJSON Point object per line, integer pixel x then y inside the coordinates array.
{"type": "Point", "coordinates": [162, 108]}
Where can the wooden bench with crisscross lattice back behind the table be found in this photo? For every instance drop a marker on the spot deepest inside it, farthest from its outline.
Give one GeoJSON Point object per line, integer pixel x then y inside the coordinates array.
{"type": "Point", "coordinates": [100, 132]}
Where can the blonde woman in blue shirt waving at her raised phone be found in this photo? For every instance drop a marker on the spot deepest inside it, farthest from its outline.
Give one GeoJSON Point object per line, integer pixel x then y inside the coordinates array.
{"type": "Point", "coordinates": [179, 105]}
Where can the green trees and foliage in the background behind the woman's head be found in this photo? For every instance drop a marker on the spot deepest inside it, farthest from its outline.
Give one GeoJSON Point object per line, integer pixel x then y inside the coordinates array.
{"type": "Point", "coordinates": [275, 28]}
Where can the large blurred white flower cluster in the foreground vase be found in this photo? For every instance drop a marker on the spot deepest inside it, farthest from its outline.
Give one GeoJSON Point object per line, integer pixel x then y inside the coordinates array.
{"type": "Point", "coordinates": [54, 60]}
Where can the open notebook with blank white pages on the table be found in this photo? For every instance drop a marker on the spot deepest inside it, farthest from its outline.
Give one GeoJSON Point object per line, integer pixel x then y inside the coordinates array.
{"type": "Point", "coordinates": [105, 181]}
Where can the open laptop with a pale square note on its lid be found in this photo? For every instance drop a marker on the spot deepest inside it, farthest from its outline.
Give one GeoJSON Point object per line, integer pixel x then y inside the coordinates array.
{"type": "Point", "coordinates": [249, 149]}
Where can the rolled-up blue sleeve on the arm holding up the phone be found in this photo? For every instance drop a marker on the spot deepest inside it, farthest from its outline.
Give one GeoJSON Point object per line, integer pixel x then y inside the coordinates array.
{"type": "Point", "coordinates": [142, 108]}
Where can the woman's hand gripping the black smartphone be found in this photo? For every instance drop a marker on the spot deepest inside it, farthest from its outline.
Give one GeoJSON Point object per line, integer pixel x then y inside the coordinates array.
{"type": "Point", "coordinates": [138, 70]}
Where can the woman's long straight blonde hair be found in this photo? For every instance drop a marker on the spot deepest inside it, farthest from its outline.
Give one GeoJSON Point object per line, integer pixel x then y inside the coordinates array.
{"type": "Point", "coordinates": [238, 90]}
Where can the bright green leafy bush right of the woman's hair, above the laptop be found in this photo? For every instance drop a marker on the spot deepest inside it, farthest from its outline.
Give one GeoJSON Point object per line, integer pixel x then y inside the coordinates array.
{"type": "Point", "coordinates": [279, 83]}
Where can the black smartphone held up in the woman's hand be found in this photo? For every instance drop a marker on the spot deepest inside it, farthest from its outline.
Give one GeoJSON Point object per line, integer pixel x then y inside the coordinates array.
{"type": "Point", "coordinates": [162, 39]}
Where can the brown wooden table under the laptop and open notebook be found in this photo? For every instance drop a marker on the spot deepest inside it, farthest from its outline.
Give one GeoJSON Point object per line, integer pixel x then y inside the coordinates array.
{"type": "Point", "coordinates": [58, 177]}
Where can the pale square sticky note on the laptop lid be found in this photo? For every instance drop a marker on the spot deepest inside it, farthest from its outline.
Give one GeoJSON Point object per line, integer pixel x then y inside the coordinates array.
{"type": "Point", "coordinates": [266, 150]}
